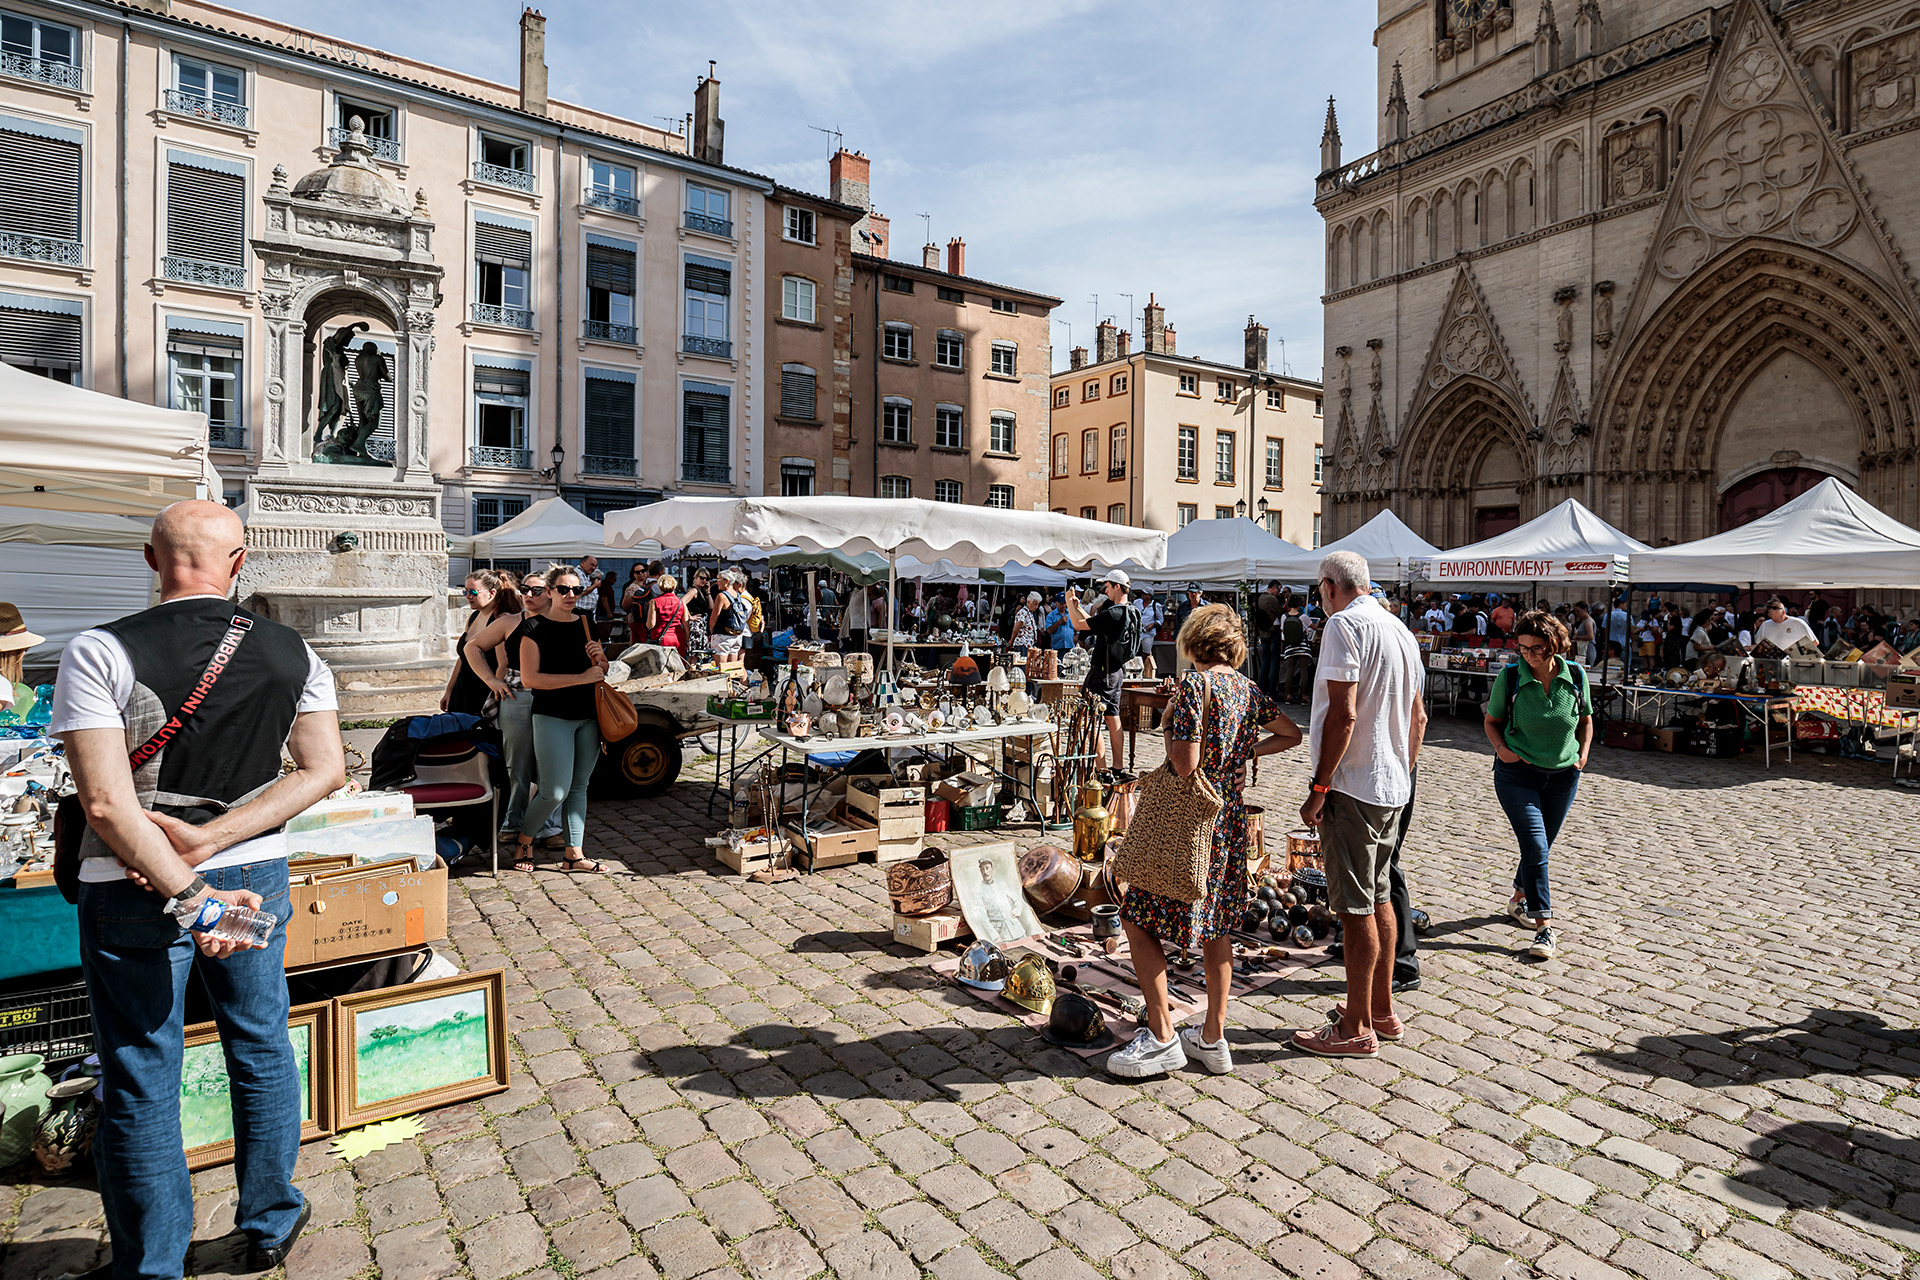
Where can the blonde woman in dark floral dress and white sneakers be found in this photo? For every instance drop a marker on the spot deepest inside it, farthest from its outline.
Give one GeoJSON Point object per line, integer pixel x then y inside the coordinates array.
{"type": "Point", "coordinates": [1241, 724]}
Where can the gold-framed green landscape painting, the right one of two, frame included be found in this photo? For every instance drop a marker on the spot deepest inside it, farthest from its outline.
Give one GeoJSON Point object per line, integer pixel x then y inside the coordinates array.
{"type": "Point", "coordinates": [420, 1047]}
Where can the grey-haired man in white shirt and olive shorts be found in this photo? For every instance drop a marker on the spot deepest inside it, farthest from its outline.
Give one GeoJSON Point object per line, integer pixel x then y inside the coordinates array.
{"type": "Point", "coordinates": [1368, 726]}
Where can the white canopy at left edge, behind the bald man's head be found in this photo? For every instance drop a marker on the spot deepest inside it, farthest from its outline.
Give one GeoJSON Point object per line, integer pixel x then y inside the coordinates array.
{"type": "Point", "coordinates": [64, 448]}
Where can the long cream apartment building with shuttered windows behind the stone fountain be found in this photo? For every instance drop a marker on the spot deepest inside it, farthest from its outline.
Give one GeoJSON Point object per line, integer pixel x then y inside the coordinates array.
{"type": "Point", "coordinates": [600, 327]}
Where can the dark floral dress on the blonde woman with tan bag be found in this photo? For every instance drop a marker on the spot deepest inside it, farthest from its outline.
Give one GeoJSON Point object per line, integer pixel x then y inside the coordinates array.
{"type": "Point", "coordinates": [1234, 728]}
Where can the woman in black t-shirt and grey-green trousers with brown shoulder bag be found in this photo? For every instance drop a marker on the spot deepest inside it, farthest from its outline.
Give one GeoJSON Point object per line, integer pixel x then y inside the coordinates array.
{"type": "Point", "coordinates": [562, 663]}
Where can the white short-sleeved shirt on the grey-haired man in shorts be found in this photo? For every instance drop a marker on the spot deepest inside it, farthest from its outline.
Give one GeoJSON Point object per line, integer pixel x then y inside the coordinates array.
{"type": "Point", "coordinates": [1366, 646]}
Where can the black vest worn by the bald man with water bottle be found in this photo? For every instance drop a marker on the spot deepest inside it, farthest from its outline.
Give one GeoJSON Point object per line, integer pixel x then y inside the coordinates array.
{"type": "Point", "coordinates": [229, 749]}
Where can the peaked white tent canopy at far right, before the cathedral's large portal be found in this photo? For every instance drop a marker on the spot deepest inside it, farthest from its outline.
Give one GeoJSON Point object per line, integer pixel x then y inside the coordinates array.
{"type": "Point", "coordinates": [1825, 538]}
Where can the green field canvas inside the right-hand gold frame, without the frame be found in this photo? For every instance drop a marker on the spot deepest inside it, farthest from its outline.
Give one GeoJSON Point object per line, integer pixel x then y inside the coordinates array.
{"type": "Point", "coordinates": [410, 1049]}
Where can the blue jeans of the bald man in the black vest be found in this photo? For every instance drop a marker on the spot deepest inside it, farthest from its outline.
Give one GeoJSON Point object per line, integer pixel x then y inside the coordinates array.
{"type": "Point", "coordinates": [137, 962]}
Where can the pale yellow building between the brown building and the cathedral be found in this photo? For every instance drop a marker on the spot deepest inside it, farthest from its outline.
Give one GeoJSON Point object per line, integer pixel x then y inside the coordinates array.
{"type": "Point", "coordinates": [1159, 440]}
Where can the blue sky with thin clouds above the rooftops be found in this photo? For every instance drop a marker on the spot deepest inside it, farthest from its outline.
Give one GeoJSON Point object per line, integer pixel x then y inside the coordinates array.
{"type": "Point", "coordinates": [1080, 149]}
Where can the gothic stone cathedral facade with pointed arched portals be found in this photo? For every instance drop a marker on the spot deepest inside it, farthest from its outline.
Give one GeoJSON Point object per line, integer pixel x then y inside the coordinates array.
{"type": "Point", "coordinates": [1648, 254]}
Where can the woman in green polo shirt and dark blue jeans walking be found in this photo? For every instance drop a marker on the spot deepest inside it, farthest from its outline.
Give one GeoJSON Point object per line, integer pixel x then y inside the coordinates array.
{"type": "Point", "coordinates": [1541, 723]}
